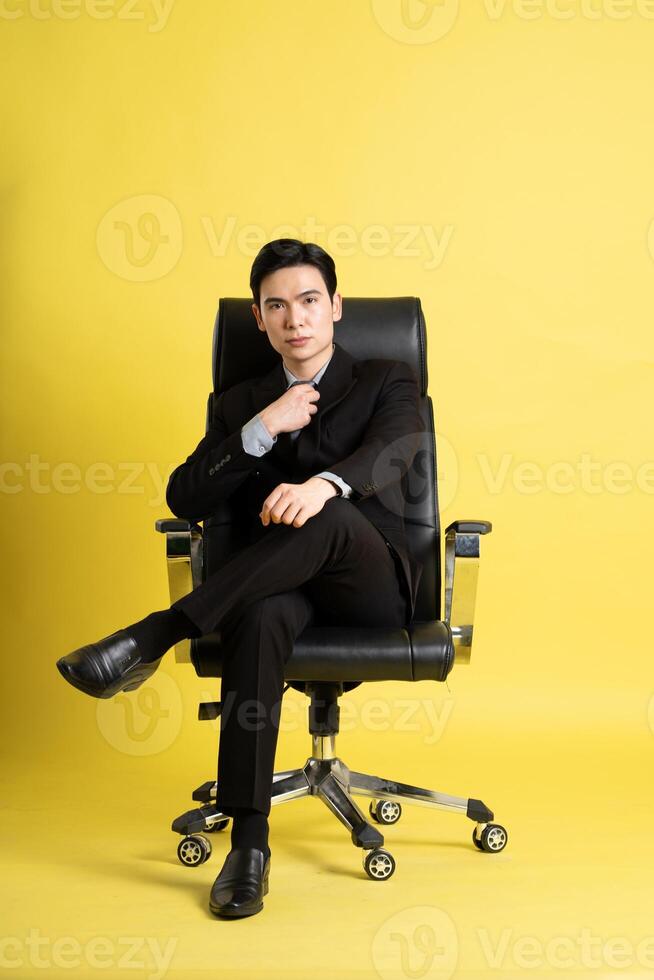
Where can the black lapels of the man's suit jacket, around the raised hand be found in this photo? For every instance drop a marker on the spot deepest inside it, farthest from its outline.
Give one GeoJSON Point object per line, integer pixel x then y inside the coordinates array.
{"type": "Point", "coordinates": [339, 378]}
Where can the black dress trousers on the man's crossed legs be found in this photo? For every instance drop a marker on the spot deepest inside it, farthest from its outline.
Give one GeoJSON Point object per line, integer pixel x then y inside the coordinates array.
{"type": "Point", "coordinates": [335, 570]}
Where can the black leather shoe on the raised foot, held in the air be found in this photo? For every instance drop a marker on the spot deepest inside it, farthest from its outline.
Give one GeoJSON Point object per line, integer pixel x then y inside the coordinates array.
{"type": "Point", "coordinates": [104, 668]}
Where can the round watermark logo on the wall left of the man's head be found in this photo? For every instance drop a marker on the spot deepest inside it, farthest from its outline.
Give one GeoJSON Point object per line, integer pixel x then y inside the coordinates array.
{"type": "Point", "coordinates": [140, 238]}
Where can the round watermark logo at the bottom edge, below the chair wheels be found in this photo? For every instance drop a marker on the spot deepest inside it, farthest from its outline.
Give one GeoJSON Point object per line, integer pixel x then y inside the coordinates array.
{"type": "Point", "coordinates": [418, 943]}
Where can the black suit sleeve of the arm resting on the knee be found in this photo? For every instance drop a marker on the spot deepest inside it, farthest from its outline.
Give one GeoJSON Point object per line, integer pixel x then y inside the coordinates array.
{"type": "Point", "coordinates": [391, 438]}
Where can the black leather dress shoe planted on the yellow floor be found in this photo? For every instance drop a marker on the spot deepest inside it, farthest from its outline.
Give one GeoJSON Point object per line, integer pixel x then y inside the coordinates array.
{"type": "Point", "coordinates": [239, 888]}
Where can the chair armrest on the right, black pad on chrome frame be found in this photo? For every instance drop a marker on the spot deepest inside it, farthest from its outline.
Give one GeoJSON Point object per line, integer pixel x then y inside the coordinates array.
{"type": "Point", "coordinates": [461, 574]}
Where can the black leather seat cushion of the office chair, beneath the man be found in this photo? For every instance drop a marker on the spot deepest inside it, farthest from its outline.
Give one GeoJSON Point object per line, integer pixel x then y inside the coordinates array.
{"type": "Point", "coordinates": [421, 651]}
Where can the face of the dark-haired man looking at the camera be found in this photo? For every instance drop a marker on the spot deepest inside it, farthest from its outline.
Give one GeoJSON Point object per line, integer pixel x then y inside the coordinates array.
{"type": "Point", "coordinates": [294, 302]}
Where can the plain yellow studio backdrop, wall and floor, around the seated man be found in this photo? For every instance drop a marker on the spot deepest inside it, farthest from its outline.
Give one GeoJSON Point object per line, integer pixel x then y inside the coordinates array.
{"type": "Point", "coordinates": [520, 136]}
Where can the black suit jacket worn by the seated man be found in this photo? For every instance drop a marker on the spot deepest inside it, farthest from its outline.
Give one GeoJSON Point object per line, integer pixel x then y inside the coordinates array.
{"type": "Point", "coordinates": [367, 430]}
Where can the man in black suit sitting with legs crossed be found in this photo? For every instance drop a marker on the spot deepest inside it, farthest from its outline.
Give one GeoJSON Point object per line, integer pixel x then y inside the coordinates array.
{"type": "Point", "coordinates": [314, 452]}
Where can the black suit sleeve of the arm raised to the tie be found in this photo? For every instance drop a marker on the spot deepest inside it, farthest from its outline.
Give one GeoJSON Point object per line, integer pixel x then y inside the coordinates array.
{"type": "Point", "coordinates": [212, 473]}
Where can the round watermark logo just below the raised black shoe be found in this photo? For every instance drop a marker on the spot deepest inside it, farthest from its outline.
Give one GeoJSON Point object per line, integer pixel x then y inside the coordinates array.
{"type": "Point", "coordinates": [145, 721]}
